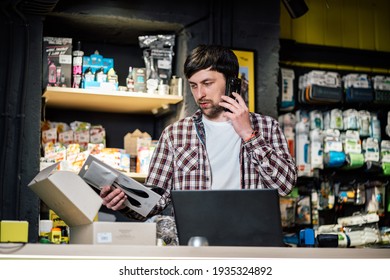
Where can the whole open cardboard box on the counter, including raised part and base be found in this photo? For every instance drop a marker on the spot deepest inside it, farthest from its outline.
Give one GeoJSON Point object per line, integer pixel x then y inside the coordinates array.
{"type": "Point", "coordinates": [77, 204]}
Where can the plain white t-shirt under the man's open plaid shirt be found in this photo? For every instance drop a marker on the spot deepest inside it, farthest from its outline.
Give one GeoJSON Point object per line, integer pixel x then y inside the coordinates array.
{"type": "Point", "coordinates": [223, 147]}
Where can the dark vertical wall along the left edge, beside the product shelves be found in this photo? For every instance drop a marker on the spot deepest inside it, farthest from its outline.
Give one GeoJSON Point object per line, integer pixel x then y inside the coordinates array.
{"type": "Point", "coordinates": [20, 101]}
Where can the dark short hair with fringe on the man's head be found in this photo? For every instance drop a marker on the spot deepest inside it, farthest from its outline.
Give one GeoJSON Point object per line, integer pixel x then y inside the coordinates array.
{"type": "Point", "coordinates": [217, 58]}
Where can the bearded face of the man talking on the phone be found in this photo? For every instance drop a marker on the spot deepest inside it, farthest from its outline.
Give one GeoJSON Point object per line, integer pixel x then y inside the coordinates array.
{"type": "Point", "coordinates": [207, 87]}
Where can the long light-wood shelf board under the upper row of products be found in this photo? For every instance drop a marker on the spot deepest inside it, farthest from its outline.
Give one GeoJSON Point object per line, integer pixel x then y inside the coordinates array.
{"type": "Point", "coordinates": [108, 101]}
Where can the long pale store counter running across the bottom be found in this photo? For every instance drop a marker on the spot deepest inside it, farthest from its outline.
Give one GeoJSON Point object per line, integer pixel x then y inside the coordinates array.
{"type": "Point", "coordinates": [42, 251]}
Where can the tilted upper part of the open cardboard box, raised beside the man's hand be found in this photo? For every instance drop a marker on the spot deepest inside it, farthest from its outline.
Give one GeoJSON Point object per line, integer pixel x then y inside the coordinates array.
{"type": "Point", "coordinates": [68, 195]}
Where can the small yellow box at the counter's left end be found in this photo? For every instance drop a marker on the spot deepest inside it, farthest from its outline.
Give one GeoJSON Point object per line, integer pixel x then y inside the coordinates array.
{"type": "Point", "coordinates": [14, 231]}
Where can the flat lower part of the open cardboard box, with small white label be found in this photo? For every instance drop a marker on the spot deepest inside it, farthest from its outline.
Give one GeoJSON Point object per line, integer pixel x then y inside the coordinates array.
{"type": "Point", "coordinates": [118, 233]}
